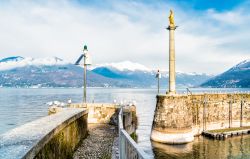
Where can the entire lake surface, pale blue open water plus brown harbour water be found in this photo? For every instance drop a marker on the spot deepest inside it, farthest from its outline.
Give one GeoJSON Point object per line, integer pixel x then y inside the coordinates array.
{"type": "Point", "coordinates": [19, 106]}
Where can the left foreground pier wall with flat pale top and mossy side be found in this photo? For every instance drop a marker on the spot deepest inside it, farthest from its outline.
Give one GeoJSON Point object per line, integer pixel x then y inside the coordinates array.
{"type": "Point", "coordinates": [54, 136]}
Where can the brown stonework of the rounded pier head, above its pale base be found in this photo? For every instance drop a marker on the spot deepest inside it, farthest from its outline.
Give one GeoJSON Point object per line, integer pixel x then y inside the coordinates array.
{"type": "Point", "coordinates": [172, 114]}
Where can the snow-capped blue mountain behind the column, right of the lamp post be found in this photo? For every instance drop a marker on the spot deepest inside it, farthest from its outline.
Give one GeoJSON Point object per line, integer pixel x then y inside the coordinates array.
{"type": "Point", "coordinates": [139, 75]}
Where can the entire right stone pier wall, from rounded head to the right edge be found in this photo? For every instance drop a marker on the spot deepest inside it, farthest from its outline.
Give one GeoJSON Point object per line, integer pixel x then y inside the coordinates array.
{"type": "Point", "coordinates": [177, 118]}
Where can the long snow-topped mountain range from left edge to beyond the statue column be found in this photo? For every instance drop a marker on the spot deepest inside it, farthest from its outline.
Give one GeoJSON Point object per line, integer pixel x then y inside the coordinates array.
{"type": "Point", "coordinates": [54, 72]}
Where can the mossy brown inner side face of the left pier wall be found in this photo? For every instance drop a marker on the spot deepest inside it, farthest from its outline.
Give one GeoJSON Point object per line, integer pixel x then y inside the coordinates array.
{"type": "Point", "coordinates": [63, 143]}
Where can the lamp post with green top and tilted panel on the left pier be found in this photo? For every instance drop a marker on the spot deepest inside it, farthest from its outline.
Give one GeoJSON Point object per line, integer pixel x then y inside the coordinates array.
{"type": "Point", "coordinates": [87, 61]}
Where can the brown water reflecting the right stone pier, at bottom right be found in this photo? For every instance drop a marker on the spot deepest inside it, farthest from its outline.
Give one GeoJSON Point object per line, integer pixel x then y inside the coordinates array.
{"type": "Point", "coordinates": [236, 147]}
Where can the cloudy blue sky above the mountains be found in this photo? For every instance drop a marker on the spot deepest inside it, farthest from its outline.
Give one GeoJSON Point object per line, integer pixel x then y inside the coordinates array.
{"type": "Point", "coordinates": [212, 36]}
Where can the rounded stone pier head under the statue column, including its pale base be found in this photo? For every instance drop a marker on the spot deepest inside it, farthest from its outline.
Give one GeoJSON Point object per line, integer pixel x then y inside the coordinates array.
{"type": "Point", "coordinates": [172, 120]}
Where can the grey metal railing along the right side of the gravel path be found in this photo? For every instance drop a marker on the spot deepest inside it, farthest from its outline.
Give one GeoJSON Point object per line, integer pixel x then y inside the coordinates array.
{"type": "Point", "coordinates": [128, 148]}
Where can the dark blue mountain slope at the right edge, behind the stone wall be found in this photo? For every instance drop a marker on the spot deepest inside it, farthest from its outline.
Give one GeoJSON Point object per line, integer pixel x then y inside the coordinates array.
{"type": "Point", "coordinates": [236, 77]}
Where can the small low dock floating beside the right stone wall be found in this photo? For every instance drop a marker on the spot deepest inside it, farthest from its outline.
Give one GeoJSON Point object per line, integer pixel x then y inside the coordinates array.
{"type": "Point", "coordinates": [222, 134]}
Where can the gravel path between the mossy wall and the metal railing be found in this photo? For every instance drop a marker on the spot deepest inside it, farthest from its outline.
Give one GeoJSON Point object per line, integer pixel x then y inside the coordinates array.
{"type": "Point", "coordinates": [98, 144]}
